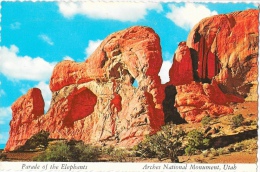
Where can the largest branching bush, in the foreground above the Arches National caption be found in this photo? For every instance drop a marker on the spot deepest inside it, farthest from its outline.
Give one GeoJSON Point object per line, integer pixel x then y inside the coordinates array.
{"type": "Point", "coordinates": [164, 144]}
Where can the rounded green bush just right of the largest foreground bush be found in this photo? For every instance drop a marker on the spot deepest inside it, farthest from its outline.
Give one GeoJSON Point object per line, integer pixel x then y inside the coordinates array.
{"type": "Point", "coordinates": [196, 141]}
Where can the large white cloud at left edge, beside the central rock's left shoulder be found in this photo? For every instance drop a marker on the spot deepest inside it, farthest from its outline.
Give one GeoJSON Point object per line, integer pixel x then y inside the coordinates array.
{"type": "Point", "coordinates": [23, 67]}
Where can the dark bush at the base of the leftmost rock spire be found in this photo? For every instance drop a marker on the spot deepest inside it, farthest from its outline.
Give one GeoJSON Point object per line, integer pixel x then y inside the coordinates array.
{"type": "Point", "coordinates": [39, 140]}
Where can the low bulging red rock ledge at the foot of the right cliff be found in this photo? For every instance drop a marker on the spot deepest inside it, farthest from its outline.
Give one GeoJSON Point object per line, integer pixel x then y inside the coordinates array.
{"type": "Point", "coordinates": [196, 100]}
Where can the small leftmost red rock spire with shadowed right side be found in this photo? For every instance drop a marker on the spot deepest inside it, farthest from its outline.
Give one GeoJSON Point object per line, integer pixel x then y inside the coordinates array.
{"type": "Point", "coordinates": [26, 111]}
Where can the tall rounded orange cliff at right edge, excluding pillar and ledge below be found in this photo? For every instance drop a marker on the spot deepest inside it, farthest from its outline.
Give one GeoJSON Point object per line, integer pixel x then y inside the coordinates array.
{"type": "Point", "coordinates": [227, 46]}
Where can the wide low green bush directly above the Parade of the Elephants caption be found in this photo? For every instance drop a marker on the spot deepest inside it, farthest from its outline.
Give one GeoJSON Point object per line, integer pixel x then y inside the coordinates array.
{"type": "Point", "coordinates": [64, 152]}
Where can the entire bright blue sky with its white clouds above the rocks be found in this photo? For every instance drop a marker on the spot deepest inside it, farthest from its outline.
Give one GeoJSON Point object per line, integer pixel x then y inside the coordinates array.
{"type": "Point", "coordinates": [35, 36]}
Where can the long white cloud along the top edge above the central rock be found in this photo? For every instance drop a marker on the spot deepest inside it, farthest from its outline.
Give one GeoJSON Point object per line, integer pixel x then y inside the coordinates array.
{"type": "Point", "coordinates": [122, 11]}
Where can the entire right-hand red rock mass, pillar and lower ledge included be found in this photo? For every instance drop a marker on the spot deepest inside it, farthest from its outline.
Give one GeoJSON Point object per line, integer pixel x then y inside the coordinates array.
{"type": "Point", "coordinates": [221, 56]}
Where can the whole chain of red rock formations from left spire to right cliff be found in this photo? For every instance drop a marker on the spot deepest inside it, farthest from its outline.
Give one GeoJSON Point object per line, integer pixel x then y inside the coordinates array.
{"type": "Point", "coordinates": [95, 101]}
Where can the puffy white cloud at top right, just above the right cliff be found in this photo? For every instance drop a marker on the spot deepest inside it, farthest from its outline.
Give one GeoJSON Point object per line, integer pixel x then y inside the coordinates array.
{"type": "Point", "coordinates": [188, 15]}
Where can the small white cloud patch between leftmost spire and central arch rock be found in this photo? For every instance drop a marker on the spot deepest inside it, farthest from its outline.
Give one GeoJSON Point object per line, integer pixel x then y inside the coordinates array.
{"type": "Point", "coordinates": [46, 93]}
